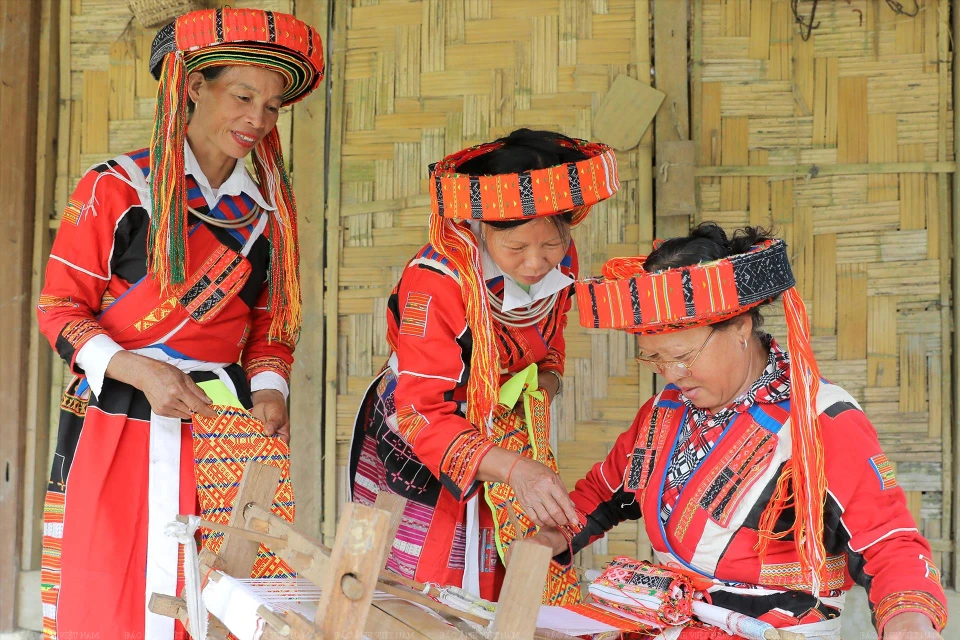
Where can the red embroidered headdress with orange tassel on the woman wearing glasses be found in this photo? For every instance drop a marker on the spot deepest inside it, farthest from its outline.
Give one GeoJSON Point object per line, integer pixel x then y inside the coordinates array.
{"type": "Point", "coordinates": [630, 298]}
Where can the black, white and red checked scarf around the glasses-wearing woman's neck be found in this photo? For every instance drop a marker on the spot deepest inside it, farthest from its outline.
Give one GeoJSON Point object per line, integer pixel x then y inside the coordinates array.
{"type": "Point", "coordinates": [702, 429]}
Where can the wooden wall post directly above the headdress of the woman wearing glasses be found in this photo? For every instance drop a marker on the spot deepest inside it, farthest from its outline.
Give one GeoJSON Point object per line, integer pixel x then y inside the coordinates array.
{"type": "Point", "coordinates": [672, 123]}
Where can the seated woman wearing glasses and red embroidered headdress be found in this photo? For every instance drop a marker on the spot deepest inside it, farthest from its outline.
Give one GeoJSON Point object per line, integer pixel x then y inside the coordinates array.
{"type": "Point", "coordinates": [748, 468]}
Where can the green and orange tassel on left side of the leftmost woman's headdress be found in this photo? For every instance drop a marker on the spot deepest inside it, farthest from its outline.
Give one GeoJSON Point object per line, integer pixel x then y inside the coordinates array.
{"type": "Point", "coordinates": [167, 254]}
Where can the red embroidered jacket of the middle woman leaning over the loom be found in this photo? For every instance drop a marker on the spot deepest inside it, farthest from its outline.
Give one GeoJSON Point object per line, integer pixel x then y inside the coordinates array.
{"type": "Point", "coordinates": [427, 330]}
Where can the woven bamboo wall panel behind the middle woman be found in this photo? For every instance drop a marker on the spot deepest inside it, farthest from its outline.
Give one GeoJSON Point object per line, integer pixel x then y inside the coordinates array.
{"type": "Point", "coordinates": [423, 79]}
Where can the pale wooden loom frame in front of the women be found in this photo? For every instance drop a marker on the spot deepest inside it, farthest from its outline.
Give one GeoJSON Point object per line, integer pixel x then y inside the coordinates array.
{"type": "Point", "coordinates": [349, 573]}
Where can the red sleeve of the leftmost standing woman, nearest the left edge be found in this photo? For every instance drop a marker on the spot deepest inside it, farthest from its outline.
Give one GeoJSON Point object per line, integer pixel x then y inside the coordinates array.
{"type": "Point", "coordinates": [78, 271]}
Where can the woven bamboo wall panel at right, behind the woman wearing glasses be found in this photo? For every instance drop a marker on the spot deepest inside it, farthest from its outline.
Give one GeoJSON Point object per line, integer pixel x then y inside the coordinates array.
{"type": "Point", "coordinates": [868, 88]}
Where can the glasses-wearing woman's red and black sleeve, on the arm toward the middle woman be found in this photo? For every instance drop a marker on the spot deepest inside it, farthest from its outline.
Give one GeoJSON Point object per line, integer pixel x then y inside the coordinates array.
{"type": "Point", "coordinates": [601, 494]}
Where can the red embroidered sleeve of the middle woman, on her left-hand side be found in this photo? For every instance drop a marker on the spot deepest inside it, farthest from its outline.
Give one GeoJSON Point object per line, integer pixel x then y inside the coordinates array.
{"type": "Point", "coordinates": [432, 345]}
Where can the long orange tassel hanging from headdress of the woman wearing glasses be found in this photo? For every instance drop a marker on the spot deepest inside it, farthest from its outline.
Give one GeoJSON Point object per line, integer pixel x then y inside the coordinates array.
{"type": "Point", "coordinates": [803, 484]}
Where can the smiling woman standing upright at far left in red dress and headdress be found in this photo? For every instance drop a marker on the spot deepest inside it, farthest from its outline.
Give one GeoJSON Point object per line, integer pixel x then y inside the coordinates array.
{"type": "Point", "coordinates": [171, 264]}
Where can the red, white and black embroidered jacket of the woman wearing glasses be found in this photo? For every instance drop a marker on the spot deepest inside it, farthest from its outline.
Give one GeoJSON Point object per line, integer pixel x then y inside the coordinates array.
{"type": "Point", "coordinates": [869, 534]}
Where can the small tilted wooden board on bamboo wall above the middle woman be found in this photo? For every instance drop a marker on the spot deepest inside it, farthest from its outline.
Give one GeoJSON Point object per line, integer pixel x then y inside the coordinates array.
{"type": "Point", "coordinates": [626, 112]}
